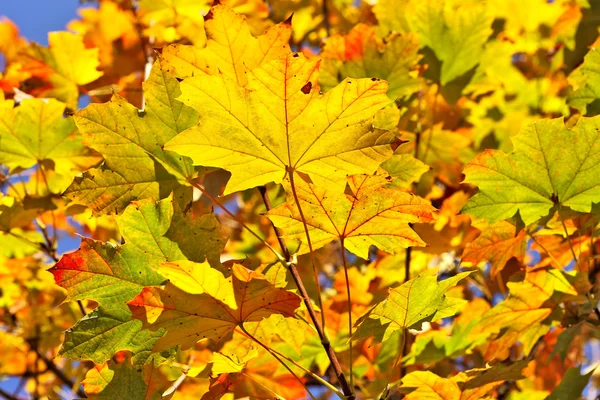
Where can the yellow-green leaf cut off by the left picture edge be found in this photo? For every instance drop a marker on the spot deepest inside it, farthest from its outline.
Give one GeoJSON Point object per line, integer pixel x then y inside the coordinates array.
{"type": "Point", "coordinates": [37, 132]}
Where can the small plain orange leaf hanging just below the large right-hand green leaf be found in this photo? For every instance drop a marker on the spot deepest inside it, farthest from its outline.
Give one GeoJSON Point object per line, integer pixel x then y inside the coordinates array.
{"type": "Point", "coordinates": [496, 244]}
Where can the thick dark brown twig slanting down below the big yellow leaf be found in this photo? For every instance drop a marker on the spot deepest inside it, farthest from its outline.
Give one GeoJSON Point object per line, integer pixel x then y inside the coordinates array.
{"type": "Point", "coordinates": [309, 307]}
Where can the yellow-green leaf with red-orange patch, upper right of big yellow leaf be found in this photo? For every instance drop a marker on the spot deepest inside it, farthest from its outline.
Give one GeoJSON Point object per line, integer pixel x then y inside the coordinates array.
{"type": "Point", "coordinates": [360, 54]}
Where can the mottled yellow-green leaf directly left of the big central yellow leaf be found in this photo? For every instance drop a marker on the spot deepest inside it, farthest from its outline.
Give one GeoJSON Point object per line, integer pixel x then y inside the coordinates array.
{"type": "Point", "coordinates": [127, 137]}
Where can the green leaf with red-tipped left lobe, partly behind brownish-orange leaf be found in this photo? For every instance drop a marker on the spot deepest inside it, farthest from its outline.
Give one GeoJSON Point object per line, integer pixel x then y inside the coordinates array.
{"type": "Point", "coordinates": [154, 232]}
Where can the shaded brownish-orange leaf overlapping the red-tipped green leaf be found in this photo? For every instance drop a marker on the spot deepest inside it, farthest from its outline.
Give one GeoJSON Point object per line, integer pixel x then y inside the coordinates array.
{"type": "Point", "coordinates": [190, 318]}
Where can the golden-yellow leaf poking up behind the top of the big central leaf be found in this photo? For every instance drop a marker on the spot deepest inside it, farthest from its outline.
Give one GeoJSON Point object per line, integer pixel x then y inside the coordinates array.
{"type": "Point", "coordinates": [231, 49]}
